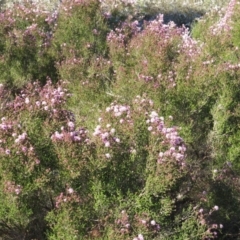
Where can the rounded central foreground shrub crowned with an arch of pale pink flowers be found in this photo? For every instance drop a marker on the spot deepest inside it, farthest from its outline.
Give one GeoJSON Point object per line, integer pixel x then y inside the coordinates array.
{"type": "Point", "coordinates": [139, 158]}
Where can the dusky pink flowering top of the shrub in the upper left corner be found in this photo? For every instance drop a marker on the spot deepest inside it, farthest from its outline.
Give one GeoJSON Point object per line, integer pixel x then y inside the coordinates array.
{"type": "Point", "coordinates": [37, 21]}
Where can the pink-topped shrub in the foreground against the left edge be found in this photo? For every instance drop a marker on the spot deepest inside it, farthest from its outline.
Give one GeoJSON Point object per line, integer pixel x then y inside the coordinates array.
{"type": "Point", "coordinates": [28, 159]}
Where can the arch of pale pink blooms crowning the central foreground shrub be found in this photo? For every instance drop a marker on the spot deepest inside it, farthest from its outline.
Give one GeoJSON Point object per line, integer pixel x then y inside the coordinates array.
{"type": "Point", "coordinates": [172, 145]}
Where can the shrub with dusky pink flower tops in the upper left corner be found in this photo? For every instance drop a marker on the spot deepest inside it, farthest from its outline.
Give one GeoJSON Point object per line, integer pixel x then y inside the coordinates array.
{"type": "Point", "coordinates": [25, 40]}
